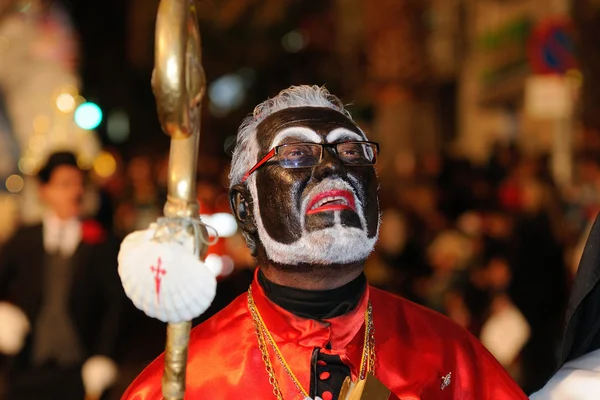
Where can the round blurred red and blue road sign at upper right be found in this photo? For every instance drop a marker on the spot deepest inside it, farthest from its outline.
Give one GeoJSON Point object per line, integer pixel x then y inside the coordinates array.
{"type": "Point", "coordinates": [551, 47]}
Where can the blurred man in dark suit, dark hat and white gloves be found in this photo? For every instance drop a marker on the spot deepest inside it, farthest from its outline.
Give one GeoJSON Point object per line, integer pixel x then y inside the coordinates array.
{"type": "Point", "coordinates": [61, 300]}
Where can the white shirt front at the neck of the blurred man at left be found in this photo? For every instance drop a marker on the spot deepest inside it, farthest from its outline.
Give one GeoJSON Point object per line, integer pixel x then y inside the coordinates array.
{"type": "Point", "coordinates": [61, 235]}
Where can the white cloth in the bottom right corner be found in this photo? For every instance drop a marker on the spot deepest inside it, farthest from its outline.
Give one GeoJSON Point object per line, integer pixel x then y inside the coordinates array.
{"type": "Point", "coordinates": [576, 380]}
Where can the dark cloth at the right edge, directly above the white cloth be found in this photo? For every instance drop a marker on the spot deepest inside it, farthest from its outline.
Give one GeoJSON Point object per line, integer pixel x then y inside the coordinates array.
{"type": "Point", "coordinates": [582, 329]}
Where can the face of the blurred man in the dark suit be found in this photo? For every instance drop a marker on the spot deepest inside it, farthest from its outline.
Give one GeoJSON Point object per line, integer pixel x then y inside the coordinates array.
{"type": "Point", "coordinates": [64, 191]}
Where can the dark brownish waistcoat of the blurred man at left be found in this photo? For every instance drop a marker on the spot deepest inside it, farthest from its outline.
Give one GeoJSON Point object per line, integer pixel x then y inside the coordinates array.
{"type": "Point", "coordinates": [55, 338]}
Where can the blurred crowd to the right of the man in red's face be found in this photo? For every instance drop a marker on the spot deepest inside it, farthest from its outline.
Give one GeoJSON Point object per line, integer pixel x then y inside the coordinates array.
{"type": "Point", "coordinates": [494, 247]}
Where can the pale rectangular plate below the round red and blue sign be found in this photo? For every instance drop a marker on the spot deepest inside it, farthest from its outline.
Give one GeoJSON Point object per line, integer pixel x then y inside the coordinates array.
{"type": "Point", "coordinates": [548, 97]}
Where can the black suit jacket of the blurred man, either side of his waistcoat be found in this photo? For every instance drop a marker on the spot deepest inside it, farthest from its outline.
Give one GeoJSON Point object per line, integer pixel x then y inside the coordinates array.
{"type": "Point", "coordinates": [95, 300]}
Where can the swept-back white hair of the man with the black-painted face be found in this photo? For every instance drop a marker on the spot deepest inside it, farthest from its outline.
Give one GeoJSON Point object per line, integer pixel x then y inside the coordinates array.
{"type": "Point", "coordinates": [246, 148]}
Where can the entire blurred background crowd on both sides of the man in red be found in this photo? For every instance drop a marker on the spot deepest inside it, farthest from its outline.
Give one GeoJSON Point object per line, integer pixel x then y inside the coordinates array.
{"type": "Point", "coordinates": [493, 246]}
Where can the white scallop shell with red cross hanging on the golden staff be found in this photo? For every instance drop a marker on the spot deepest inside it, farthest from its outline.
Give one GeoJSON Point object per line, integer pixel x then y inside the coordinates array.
{"type": "Point", "coordinates": [165, 279]}
